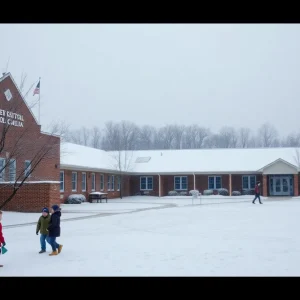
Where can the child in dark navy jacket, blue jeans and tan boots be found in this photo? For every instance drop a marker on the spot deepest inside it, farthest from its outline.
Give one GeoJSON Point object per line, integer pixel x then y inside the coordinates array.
{"type": "Point", "coordinates": [54, 230]}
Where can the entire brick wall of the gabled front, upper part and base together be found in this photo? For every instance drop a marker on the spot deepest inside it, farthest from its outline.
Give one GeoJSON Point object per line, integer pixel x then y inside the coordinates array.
{"type": "Point", "coordinates": [25, 143]}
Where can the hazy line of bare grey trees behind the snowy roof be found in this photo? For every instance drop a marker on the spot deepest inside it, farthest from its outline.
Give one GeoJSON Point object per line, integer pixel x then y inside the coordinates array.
{"type": "Point", "coordinates": [126, 135]}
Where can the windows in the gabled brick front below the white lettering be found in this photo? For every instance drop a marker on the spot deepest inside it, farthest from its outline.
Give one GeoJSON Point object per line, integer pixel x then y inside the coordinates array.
{"type": "Point", "coordinates": [11, 167]}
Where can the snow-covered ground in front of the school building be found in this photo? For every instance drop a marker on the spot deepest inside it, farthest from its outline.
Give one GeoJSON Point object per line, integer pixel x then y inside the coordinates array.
{"type": "Point", "coordinates": [226, 239]}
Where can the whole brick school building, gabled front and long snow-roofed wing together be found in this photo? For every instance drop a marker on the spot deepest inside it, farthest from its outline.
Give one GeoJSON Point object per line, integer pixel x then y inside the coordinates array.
{"type": "Point", "coordinates": [76, 169]}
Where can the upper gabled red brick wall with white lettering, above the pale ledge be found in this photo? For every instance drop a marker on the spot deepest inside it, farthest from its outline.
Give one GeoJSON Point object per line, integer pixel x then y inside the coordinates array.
{"type": "Point", "coordinates": [24, 143]}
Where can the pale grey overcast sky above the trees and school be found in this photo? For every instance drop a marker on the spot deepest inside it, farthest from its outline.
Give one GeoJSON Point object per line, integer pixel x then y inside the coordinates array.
{"type": "Point", "coordinates": [213, 75]}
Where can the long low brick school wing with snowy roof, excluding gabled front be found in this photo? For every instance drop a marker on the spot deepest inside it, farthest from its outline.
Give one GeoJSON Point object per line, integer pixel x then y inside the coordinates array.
{"type": "Point", "coordinates": [157, 172]}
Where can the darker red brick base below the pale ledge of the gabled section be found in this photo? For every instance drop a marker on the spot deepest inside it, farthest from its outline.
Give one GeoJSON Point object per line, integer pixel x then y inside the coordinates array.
{"type": "Point", "coordinates": [31, 197]}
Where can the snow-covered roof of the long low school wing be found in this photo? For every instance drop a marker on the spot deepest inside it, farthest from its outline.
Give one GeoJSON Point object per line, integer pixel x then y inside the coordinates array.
{"type": "Point", "coordinates": [176, 161]}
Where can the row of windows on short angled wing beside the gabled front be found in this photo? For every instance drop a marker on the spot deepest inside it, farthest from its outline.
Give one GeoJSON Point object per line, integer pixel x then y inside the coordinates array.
{"type": "Point", "coordinates": [110, 182]}
